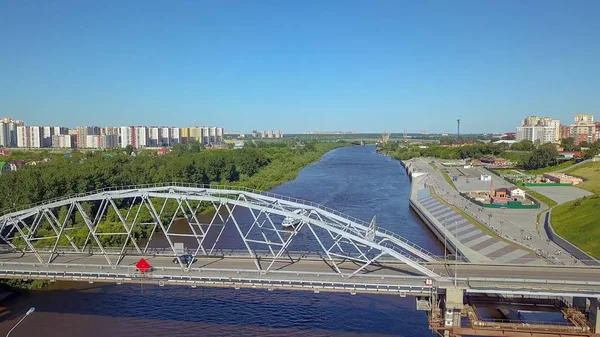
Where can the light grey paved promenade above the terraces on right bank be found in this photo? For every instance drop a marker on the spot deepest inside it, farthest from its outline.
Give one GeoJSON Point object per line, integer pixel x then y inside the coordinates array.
{"type": "Point", "coordinates": [510, 228]}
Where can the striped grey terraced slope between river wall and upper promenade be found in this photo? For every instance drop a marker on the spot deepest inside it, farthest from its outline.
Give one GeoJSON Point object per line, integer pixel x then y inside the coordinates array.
{"type": "Point", "coordinates": [473, 237]}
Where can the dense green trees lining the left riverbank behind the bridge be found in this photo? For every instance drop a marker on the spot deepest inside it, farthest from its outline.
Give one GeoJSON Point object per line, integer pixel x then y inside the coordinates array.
{"type": "Point", "coordinates": [259, 168]}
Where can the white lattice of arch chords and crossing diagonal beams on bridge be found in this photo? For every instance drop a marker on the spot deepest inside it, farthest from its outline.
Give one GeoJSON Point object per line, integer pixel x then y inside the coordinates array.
{"type": "Point", "coordinates": [345, 238]}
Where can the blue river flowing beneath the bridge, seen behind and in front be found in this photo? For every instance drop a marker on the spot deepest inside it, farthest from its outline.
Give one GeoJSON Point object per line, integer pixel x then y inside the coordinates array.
{"type": "Point", "coordinates": [354, 180]}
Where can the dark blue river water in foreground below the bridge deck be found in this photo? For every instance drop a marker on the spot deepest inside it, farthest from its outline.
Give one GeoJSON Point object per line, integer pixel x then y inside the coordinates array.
{"type": "Point", "coordinates": [242, 309]}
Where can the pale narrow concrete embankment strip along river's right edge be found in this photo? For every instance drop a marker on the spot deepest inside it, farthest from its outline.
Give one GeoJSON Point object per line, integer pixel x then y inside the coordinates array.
{"type": "Point", "coordinates": [418, 188]}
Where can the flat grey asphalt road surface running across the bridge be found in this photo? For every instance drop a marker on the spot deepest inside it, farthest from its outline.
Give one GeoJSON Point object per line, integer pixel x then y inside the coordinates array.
{"type": "Point", "coordinates": [387, 269]}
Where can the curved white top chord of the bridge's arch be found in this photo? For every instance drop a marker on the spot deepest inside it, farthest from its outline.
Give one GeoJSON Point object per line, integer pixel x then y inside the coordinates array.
{"type": "Point", "coordinates": [226, 187]}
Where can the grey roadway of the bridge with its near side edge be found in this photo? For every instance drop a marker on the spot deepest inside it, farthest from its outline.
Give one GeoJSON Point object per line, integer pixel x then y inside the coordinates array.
{"type": "Point", "coordinates": [507, 278]}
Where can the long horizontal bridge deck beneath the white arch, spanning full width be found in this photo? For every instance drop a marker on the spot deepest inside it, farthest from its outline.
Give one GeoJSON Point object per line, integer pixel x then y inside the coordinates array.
{"type": "Point", "coordinates": [311, 273]}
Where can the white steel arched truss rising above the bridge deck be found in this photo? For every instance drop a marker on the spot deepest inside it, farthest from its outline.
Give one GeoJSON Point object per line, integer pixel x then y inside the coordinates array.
{"type": "Point", "coordinates": [110, 222]}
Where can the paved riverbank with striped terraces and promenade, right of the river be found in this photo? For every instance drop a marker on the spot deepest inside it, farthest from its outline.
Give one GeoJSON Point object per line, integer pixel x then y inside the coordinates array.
{"type": "Point", "coordinates": [492, 236]}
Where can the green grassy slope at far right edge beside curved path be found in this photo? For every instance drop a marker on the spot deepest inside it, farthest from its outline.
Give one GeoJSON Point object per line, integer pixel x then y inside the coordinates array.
{"type": "Point", "coordinates": [579, 221]}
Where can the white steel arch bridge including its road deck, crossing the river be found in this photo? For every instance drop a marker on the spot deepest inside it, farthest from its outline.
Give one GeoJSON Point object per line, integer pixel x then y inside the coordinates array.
{"type": "Point", "coordinates": [99, 236]}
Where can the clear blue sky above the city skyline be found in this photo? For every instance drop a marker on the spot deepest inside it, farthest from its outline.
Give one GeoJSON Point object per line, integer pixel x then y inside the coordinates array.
{"type": "Point", "coordinates": [299, 65]}
